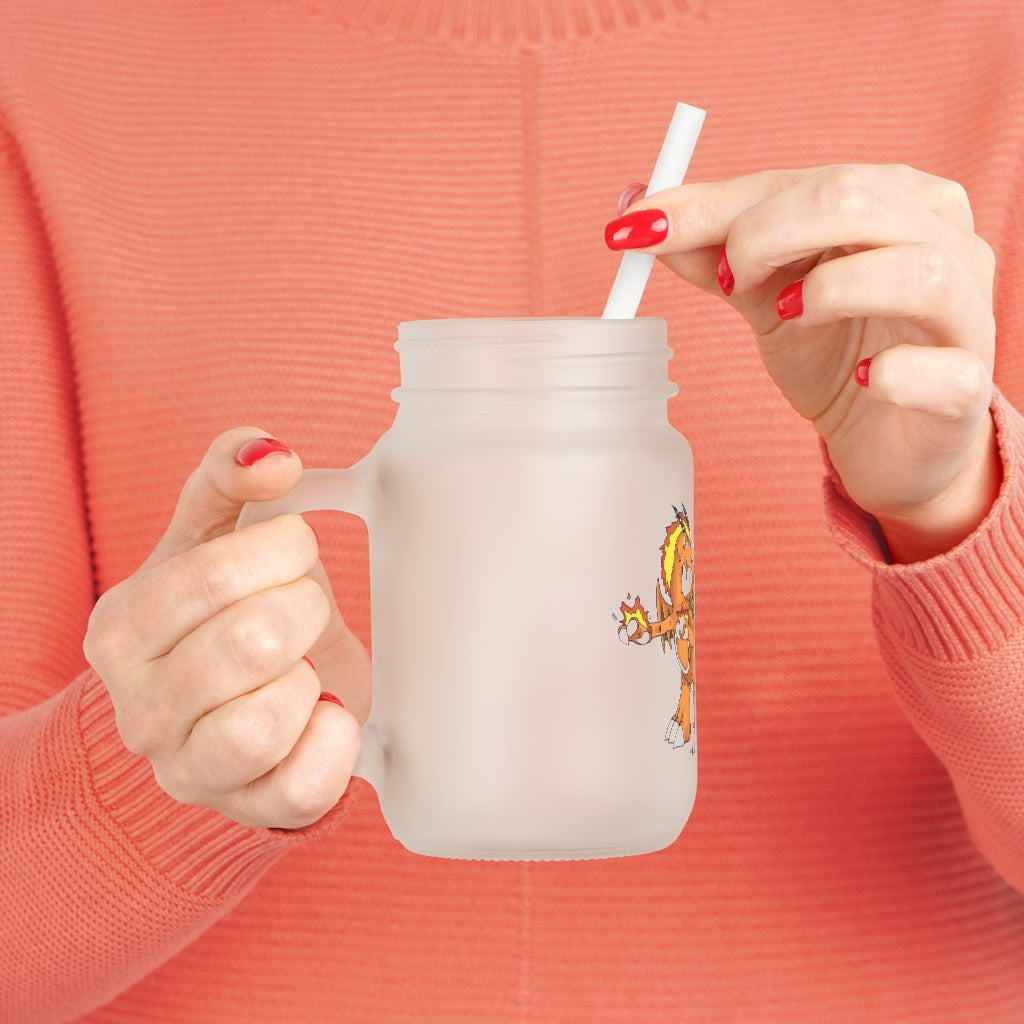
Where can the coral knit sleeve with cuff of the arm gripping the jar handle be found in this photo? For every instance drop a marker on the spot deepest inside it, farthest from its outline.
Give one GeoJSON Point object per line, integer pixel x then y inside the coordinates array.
{"type": "Point", "coordinates": [103, 877]}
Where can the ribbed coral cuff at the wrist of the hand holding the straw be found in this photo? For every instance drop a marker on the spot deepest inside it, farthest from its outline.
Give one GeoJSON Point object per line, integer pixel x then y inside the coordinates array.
{"type": "Point", "coordinates": [966, 603]}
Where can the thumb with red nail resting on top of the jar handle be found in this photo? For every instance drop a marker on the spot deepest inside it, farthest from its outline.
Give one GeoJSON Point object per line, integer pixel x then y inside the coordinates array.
{"type": "Point", "coordinates": [242, 465]}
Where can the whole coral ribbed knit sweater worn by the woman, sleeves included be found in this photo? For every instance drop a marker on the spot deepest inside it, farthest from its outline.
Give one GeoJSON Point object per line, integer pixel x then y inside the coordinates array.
{"type": "Point", "coordinates": [216, 214]}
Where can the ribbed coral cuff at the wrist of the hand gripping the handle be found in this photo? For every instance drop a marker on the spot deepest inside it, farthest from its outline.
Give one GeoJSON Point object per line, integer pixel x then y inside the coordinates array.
{"type": "Point", "coordinates": [197, 849]}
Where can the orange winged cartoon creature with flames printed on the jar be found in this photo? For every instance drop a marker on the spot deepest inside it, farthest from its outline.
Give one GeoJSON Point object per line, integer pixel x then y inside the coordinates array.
{"type": "Point", "coordinates": [673, 622]}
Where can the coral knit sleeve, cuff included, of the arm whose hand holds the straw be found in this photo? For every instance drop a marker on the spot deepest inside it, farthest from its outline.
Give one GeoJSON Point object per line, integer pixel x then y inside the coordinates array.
{"type": "Point", "coordinates": [952, 631]}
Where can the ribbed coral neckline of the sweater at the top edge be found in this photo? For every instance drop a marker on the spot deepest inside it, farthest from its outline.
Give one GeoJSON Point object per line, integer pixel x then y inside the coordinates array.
{"type": "Point", "coordinates": [524, 23]}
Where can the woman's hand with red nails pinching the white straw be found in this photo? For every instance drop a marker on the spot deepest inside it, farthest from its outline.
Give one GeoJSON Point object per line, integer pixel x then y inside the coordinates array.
{"type": "Point", "coordinates": [871, 298]}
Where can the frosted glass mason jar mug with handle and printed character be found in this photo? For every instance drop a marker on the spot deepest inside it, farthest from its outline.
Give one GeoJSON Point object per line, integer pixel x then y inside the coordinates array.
{"type": "Point", "coordinates": [530, 515]}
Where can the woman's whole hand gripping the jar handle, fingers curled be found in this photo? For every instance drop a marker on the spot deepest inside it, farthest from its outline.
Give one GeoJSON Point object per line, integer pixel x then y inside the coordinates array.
{"type": "Point", "coordinates": [203, 651]}
